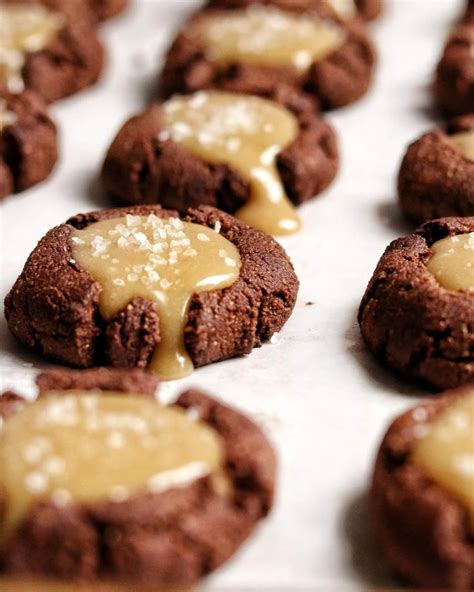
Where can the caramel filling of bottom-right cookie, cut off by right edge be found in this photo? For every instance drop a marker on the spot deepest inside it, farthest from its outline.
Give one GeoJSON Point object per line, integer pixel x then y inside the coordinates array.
{"type": "Point", "coordinates": [446, 453]}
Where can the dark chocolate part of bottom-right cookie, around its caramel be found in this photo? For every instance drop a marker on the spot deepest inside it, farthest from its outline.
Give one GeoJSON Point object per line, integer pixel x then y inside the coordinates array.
{"type": "Point", "coordinates": [423, 529]}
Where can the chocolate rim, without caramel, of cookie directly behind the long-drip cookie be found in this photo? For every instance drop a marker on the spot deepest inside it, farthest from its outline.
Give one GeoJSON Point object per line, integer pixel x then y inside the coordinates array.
{"type": "Point", "coordinates": [337, 80]}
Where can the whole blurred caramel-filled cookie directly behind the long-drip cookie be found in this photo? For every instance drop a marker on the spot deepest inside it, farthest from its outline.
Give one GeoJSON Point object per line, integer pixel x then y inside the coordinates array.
{"type": "Point", "coordinates": [281, 46]}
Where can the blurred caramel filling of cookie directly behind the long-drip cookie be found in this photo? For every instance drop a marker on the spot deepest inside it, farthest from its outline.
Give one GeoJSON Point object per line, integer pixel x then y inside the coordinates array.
{"type": "Point", "coordinates": [268, 36]}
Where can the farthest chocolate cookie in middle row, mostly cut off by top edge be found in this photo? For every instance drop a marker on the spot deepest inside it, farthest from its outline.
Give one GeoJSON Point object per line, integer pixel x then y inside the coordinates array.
{"type": "Point", "coordinates": [345, 9]}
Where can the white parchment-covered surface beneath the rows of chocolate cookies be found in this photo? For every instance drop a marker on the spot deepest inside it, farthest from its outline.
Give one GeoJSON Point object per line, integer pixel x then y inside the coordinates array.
{"type": "Point", "coordinates": [321, 398]}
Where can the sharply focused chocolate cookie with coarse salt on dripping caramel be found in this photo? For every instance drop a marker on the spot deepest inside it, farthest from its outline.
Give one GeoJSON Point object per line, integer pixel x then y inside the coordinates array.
{"type": "Point", "coordinates": [56, 309]}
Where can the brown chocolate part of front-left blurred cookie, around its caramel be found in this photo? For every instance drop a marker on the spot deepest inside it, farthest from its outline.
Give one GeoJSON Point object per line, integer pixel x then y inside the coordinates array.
{"type": "Point", "coordinates": [173, 537]}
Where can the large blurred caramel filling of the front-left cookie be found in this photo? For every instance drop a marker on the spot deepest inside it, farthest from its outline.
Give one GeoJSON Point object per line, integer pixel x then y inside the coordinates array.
{"type": "Point", "coordinates": [88, 448]}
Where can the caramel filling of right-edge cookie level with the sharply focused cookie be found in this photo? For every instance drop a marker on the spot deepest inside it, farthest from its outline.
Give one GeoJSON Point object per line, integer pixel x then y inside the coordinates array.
{"type": "Point", "coordinates": [452, 263]}
